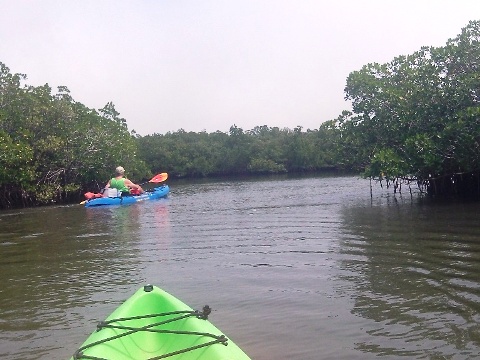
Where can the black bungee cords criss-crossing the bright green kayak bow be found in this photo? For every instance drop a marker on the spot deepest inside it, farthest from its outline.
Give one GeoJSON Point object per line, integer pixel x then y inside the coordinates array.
{"type": "Point", "coordinates": [218, 339]}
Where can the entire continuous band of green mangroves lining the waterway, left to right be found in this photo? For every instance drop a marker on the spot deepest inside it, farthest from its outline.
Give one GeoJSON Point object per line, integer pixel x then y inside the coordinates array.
{"type": "Point", "coordinates": [415, 119]}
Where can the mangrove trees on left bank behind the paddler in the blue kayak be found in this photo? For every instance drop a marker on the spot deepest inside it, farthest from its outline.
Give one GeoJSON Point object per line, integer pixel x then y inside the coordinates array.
{"type": "Point", "coordinates": [53, 147]}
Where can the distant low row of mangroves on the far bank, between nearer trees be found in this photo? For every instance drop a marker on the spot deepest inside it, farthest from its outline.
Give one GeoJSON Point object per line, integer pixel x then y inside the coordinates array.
{"type": "Point", "coordinates": [257, 151]}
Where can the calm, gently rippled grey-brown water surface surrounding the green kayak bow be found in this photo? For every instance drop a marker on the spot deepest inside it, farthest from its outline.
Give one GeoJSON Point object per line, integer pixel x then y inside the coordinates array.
{"type": "Point", "coordinates": [310, 268]}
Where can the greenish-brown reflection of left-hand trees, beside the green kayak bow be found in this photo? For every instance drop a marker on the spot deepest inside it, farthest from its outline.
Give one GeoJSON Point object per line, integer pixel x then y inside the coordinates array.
{"type": "Point", "coordinates": [58, 256]}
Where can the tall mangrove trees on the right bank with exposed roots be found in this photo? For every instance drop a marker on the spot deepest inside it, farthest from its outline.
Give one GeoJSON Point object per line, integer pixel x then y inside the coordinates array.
{"type": "Point", "coordinates": [418, 116]}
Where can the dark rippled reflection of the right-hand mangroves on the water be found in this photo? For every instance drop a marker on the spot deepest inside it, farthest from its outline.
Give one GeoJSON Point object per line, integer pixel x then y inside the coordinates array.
{"type": "Point", "coordinates": [414, 271]}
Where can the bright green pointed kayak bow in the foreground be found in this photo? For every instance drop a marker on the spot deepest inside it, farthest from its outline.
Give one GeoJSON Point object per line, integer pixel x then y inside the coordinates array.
{"type": "Point", "coordinates": [152, 324]}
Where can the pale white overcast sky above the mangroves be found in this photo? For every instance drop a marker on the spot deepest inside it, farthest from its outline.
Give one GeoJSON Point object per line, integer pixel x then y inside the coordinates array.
{"type": "Point", "coordinates": [204, 65]}
